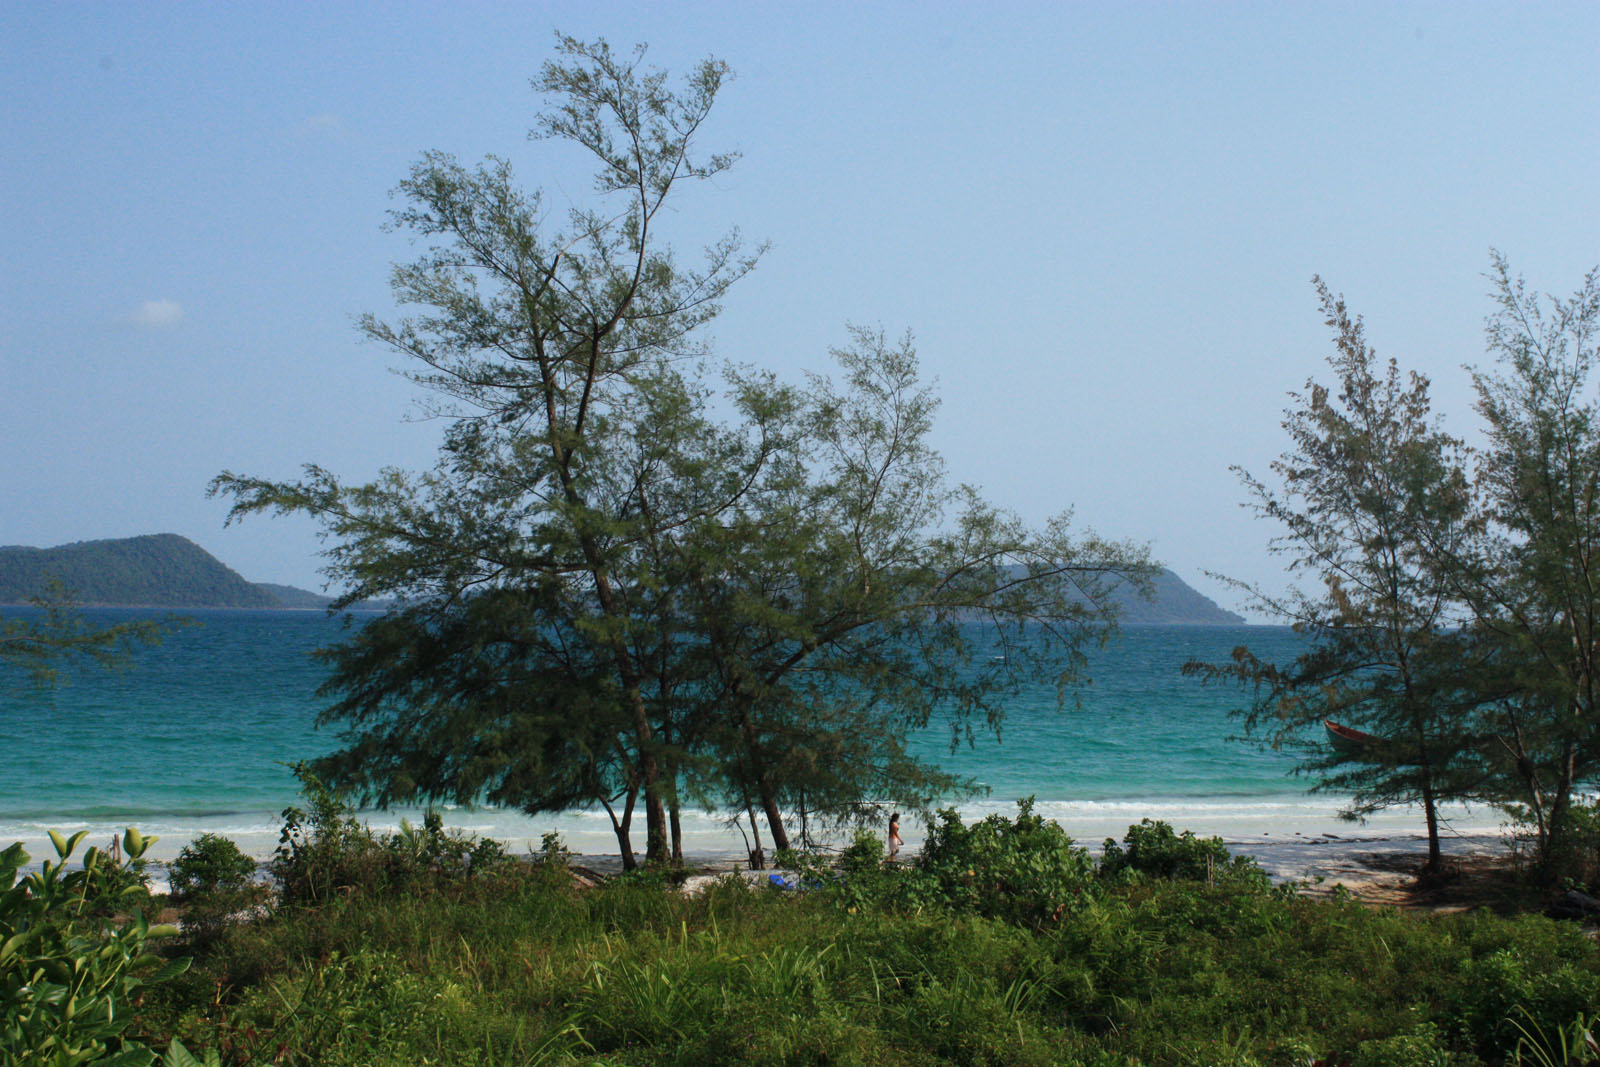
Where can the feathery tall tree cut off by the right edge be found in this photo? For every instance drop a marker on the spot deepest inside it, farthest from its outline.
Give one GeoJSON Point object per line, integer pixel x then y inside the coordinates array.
{"type": "Point", "coordinates": [1534, 580]}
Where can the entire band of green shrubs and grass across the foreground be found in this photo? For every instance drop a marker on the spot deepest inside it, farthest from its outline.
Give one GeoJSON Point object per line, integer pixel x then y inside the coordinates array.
{"type": "Point", "coordinates": [1002, 943]}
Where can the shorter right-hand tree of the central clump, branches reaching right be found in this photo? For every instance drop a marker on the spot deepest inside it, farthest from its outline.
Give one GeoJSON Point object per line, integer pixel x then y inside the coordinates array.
{"type": "Point", "coordinates": [846, 610]}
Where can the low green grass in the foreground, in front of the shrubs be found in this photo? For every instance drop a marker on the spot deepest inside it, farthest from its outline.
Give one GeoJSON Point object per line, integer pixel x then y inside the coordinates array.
{"type": "Point", "coordinates": [522, 969]}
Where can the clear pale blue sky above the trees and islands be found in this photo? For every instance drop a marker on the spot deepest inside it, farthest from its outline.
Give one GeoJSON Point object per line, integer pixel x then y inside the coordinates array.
{"type": "Point", "coordinates": [1100, 222]}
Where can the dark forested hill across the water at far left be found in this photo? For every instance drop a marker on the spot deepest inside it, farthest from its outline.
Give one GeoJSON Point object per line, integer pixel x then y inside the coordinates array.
{"type": "Point", "coordinates": [161, 570]}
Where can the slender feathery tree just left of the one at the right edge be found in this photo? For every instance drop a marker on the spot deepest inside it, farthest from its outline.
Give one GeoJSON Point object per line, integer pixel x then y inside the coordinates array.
{"type": "Point", "coordinates": [1367, 487]}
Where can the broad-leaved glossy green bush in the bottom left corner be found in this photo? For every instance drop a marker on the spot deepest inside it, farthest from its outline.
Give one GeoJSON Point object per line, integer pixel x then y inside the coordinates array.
{"type": "Point", "coordinates": [70, 965]}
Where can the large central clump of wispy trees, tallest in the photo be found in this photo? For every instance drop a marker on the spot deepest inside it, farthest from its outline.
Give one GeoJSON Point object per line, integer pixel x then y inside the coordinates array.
{"type": "Point", "coordinates": [612, 597]}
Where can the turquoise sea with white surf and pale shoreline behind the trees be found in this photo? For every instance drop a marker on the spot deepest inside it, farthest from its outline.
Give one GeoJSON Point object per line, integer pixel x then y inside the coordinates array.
{"type": "Point", "coordinates": [199, 735]}
